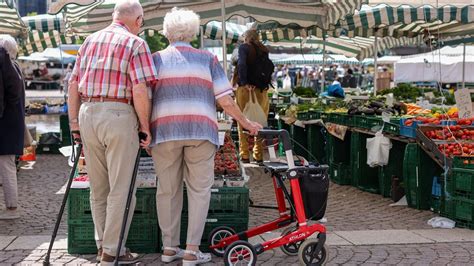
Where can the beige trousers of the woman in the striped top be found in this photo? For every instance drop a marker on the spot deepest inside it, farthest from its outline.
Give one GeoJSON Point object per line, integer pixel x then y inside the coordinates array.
{"type": "Point", "coordinates": [192, 161]}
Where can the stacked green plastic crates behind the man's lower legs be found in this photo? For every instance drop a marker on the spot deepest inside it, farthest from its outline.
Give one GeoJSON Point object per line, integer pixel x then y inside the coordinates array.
{"type": "Point", "coordinates": [143, 236]}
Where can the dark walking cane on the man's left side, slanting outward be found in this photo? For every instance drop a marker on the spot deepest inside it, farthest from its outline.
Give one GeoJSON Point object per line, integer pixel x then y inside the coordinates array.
{"type": "Point", "coordinates": [66, 194]}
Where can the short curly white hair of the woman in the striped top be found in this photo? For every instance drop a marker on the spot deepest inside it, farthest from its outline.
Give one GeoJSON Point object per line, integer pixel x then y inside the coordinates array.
{"type": "Point", "coordinates": [181, 25]}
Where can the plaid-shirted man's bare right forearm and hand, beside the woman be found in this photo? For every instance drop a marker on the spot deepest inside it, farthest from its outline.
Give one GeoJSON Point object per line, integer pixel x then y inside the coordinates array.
{"type": "Point", "coordinates": [142, 105]}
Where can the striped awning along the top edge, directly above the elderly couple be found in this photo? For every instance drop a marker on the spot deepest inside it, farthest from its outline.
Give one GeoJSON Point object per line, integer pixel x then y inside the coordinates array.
{"type": "Point", "coordinates": [86, 17]}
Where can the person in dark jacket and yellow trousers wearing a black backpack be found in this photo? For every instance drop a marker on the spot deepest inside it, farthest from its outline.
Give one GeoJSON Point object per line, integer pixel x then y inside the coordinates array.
{"type": "Point", "coordinates": [249, 54]}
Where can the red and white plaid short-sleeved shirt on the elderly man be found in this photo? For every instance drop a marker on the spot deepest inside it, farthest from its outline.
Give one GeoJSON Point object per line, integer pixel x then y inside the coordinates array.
{"type": "Point", "coordinates": [111, 61]}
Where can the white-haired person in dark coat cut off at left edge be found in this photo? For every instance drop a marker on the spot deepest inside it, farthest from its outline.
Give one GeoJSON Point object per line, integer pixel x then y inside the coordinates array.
{"type": "Point", "coordinates": [12, 123]}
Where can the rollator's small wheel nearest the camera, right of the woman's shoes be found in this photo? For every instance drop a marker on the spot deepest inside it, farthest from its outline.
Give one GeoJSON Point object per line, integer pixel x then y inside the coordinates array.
{"type": "Point", "coordinates": [240, 253]}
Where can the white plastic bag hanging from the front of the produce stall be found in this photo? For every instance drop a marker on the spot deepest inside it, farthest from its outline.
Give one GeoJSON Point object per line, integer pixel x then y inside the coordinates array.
{"type": "Point", "coordinates": [378, 149]}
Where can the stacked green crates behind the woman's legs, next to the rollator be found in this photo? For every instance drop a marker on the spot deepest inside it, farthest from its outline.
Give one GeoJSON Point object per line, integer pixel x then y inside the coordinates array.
{"type": "Point", "coordinates": [229, 206]}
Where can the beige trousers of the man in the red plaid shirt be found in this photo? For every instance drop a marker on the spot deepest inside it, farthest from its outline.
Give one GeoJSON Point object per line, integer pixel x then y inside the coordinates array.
{"type": "Point", "coordinates": [109, 132]}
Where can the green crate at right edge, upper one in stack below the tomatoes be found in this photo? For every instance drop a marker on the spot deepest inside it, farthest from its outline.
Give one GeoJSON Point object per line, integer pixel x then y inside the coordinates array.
{"type": "Point", "coordinates": [460, 183]}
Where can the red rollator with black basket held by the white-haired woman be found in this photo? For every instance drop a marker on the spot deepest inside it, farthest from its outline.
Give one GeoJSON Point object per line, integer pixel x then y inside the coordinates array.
{"type": "Point", "coordinates": [307, 199]}
